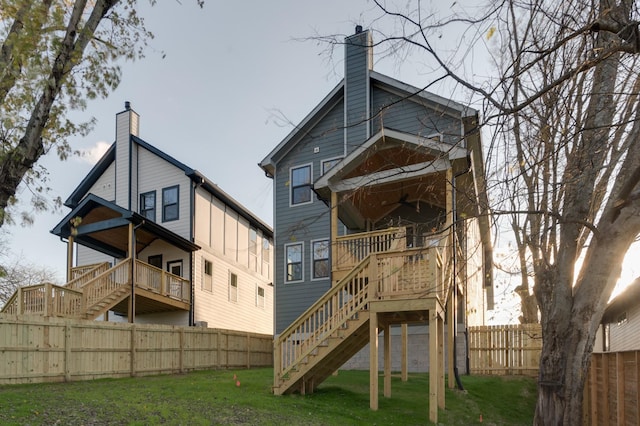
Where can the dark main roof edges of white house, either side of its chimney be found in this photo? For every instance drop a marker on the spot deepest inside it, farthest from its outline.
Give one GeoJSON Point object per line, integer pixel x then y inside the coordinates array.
{"type": "Point", "coordinates": [109, 157]}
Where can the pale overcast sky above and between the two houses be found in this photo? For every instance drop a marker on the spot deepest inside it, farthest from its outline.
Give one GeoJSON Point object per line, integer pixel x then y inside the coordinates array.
{"type": "Point", "coordinates": [230, 72]}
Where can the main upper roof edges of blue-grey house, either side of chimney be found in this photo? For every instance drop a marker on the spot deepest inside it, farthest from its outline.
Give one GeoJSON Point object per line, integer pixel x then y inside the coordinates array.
{"type": "Point", "coordinates": [412, 93]}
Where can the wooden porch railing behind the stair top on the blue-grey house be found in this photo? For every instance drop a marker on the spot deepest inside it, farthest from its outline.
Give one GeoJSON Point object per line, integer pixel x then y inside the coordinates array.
{"type": "Point", "coordinates": [349, 250]}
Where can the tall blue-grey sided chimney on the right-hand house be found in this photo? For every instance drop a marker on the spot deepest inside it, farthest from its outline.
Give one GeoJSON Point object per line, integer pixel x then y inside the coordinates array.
{"type": "Point", "coordinates": [358, 62]}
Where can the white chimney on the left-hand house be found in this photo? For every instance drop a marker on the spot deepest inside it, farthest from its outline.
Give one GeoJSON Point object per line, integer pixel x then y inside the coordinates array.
{"type": "Point", "coordinates": [127, 125]}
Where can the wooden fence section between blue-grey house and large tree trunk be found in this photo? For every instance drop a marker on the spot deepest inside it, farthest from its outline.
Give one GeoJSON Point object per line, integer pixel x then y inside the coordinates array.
{"type": "Point", "coordinates": [505, 349]}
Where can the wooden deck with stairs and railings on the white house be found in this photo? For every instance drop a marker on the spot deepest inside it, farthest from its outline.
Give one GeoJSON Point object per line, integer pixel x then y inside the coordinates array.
{"type": "Point", "coordinates": [95, 289]}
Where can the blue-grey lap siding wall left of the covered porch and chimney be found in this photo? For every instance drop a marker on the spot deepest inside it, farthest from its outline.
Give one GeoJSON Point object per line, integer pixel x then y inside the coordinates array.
{"type": "Point", "coordinates": [306, 222]}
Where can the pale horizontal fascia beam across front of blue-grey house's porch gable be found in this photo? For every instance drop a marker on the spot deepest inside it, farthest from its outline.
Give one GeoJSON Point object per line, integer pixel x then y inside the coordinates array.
{"type": "Point", "coordinates": [391, 175]}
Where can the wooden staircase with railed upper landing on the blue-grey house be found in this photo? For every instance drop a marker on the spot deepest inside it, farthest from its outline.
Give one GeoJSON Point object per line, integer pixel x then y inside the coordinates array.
{"type": "Point", "coordinates": [336, 327]}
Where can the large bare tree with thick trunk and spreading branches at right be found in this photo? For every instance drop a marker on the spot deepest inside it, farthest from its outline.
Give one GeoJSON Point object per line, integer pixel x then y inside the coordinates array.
{"type": "Point", "coordinates": [565, 158]}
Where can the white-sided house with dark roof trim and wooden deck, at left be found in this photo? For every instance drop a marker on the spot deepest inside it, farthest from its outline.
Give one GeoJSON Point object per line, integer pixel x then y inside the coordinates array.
{"type": "Point", "coordinates": [151, 240]}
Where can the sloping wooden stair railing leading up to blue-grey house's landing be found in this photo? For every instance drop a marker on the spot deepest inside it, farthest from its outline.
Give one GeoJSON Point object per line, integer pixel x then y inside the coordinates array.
{"type": "Point", "coordinates": [334, 321]}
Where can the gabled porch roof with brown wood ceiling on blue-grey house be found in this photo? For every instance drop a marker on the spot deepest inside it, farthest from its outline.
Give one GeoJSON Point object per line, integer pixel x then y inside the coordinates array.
{"type": "Point", "coordinates": [391, 170]}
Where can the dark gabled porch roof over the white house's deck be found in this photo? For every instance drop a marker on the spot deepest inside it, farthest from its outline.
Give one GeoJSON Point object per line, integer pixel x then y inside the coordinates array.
{"type": "Point", "coordinates": [104, 227]}
